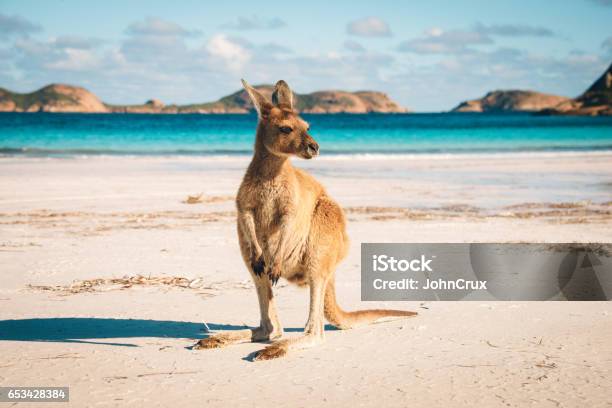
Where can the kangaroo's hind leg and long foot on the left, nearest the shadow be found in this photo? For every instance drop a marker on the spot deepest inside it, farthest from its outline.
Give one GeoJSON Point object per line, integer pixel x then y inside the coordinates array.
{"type": "Point", "coordinates": [269, 326]}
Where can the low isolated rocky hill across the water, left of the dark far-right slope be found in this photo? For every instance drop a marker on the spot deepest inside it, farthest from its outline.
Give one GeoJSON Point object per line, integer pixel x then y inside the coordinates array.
{"type": "Point", "coordinates": [511, 101]}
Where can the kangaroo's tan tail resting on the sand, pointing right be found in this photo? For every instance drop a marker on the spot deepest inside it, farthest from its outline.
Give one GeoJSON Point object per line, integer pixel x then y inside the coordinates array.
{"type": "Point", "coordinates": [346, 320]}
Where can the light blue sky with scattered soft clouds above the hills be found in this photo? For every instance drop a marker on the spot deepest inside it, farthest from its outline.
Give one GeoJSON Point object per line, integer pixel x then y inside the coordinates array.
{"type": "Point", "coordinates": [427, 55]}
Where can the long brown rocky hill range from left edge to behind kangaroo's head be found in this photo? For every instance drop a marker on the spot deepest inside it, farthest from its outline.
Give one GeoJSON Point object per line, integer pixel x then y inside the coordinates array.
{"type": "Point", "coordinates": [67, 98]}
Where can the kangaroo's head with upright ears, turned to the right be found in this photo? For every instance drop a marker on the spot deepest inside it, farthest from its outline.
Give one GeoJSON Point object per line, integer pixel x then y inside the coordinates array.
{"type": "Point", "coordinates": [281, 130]}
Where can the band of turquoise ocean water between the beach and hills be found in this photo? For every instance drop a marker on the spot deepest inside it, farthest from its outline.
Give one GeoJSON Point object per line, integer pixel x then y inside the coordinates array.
{"type": "Point", "coordinates": [62, 134]}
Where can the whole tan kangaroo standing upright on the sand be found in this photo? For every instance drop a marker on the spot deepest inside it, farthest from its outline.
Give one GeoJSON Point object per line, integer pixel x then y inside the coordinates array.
{"type": "Point", "coordinates": [289, 227]}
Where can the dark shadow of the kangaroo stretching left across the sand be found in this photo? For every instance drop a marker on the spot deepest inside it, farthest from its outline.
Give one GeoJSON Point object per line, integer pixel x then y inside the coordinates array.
{"type": "Point", "coordinates": [85, 330]}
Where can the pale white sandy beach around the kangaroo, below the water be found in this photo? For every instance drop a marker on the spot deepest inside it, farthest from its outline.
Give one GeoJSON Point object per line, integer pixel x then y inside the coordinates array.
{"type": "Point", "coordinates": [110, 273]}
